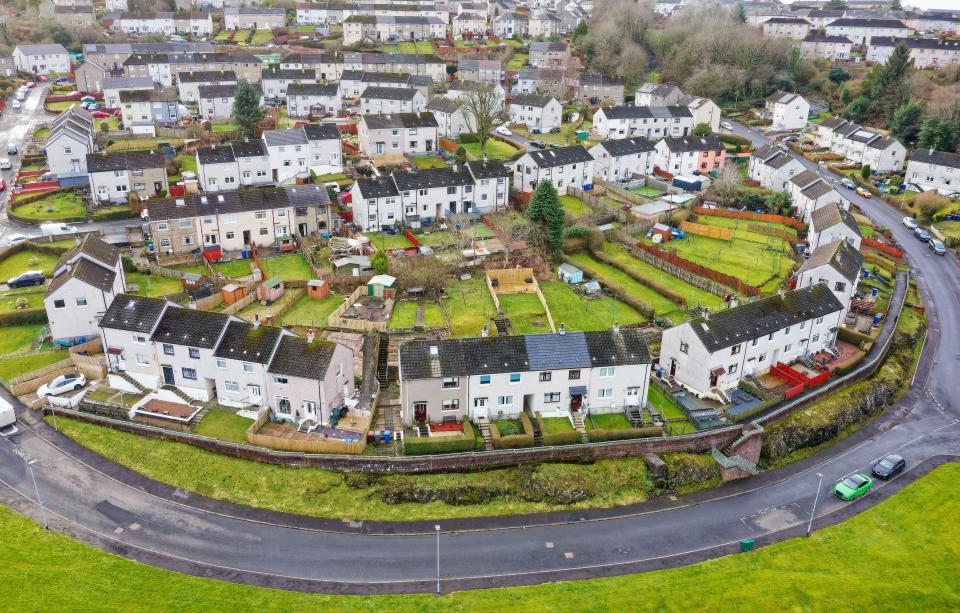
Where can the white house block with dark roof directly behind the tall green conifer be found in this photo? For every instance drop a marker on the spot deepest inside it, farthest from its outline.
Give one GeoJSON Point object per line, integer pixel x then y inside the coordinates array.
{"type": "Point", "coordinates": [564, 166]}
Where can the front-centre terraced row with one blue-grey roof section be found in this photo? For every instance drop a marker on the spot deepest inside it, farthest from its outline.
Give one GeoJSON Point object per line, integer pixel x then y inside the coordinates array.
{"type": "Point", "coordinates": [481, 379]}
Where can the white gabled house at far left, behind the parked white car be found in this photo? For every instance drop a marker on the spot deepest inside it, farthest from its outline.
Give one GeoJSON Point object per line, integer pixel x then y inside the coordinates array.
{"type": "Point", "coordinates": [84, 283]}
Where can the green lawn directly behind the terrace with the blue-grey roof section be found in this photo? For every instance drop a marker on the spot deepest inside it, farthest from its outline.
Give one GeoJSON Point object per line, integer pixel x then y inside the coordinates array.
{"type": "Point", "coordinates": [579, 314]}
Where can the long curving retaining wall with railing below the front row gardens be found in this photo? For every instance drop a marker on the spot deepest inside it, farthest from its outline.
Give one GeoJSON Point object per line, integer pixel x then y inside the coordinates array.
{"type": "Point", "coordinates": [701, 442]}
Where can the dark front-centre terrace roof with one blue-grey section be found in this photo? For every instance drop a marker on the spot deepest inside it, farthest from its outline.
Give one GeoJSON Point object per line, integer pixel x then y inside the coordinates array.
{"type": "Point", "coordinates": [533, 352]}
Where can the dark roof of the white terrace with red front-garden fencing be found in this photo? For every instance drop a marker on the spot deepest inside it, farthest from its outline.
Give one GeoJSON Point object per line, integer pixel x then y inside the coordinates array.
{"type": "Point", "coordinates": [764, 316]}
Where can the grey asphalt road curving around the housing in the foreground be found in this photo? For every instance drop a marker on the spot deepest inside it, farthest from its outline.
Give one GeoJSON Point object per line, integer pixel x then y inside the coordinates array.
{"type": "Point", "coordinates": [110, 507]}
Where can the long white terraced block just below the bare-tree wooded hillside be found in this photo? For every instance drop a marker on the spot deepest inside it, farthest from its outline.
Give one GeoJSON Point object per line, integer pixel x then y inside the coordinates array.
{"type": "Point", "coordinates": [650, 122]}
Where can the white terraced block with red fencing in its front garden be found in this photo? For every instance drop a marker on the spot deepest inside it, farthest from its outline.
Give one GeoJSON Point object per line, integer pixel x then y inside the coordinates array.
{"type": "Point", "coordinates": [709, 355]}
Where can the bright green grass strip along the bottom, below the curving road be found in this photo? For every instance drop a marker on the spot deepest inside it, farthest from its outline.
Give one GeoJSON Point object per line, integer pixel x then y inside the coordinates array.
{"type": "Point", "coordinates": [799, 574]}
